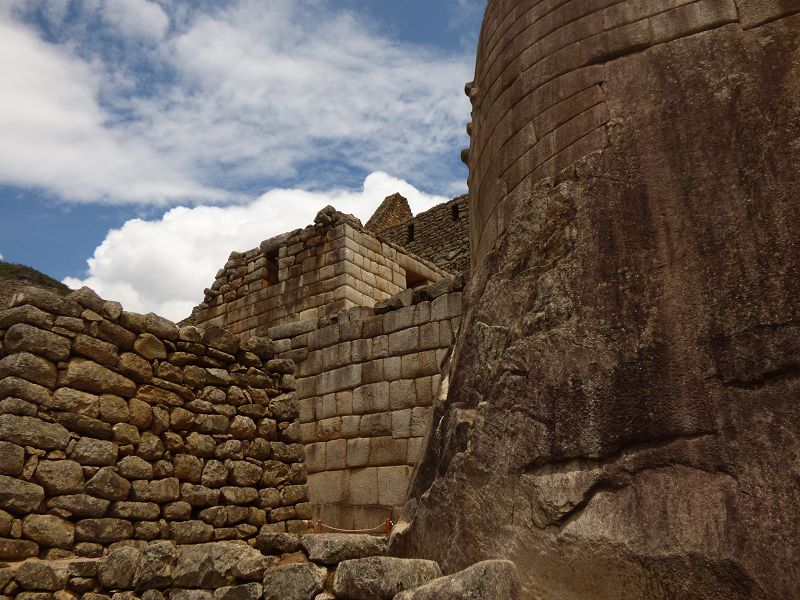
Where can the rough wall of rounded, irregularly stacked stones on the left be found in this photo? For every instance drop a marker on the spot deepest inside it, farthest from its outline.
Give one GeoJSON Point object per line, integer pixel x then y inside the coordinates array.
{"type": "Point", "coordinates": [118, 426]}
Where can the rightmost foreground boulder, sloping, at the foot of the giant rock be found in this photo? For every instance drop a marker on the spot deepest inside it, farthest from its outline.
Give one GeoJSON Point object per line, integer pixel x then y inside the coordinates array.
{"type": "Point", "coordinates": [487, 580]}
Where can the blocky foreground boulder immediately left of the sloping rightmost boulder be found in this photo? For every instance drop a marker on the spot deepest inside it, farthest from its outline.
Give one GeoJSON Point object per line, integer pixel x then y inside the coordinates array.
{"type": "Point", "coordinates": [381, 577]}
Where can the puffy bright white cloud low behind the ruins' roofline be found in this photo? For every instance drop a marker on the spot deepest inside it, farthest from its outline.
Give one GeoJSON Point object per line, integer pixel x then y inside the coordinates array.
{"type": "Point", "coordinates": [164, 265]}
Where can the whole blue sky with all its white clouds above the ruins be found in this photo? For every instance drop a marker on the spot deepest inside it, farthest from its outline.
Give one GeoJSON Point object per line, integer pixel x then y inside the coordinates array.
{"type": "Point", "coordinates": [152, 137]}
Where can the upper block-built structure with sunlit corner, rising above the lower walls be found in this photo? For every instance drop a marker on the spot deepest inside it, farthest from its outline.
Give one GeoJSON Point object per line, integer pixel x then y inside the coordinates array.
{"type": "Point", "coordinates": [309, 273]}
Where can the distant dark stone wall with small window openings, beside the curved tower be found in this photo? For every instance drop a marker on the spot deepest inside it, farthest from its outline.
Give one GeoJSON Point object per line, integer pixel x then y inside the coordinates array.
{"type": "Point", "coordinates": [440, 235]}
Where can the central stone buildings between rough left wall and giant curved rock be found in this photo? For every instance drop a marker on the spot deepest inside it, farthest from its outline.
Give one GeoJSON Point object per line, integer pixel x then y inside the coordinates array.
{"type": "Point", "coordinates": [367, 314]}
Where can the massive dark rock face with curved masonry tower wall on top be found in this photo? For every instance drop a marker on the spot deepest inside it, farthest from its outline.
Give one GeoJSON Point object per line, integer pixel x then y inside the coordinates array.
{"type": "Point", "coordinates": [622, 418]}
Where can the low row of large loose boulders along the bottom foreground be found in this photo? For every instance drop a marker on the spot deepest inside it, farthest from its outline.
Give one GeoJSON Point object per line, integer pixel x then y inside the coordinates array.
{"type": "Point", "coordinates": [279, 567]}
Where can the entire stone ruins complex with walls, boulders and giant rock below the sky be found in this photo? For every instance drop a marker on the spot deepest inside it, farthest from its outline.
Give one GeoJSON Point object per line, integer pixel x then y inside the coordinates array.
{"type": "Point", "coordinates": [580, 381]}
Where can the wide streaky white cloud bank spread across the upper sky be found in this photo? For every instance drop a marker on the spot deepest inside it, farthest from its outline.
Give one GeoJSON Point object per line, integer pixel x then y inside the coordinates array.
{"type": "Point", "coordinates": [210, 100]}
